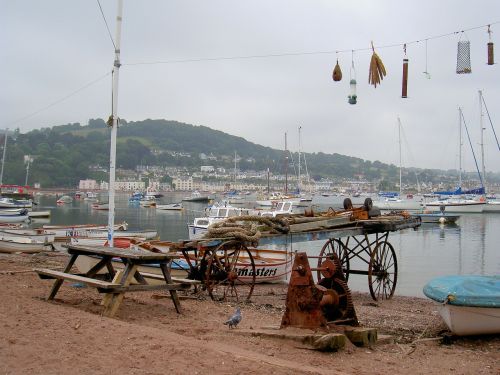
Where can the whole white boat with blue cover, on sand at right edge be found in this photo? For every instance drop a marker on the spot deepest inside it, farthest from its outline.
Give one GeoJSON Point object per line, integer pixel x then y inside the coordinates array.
{"type": "Point", "coordinates": [469, 305]}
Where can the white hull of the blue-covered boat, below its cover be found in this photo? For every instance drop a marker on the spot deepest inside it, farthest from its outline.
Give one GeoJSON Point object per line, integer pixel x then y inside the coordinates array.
{"type": "Point", "coordinates": [466, 320]}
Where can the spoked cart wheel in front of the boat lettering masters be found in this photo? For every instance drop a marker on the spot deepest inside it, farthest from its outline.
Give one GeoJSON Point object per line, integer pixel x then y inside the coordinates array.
{"type": "Point", "coordinates": [230, 274]}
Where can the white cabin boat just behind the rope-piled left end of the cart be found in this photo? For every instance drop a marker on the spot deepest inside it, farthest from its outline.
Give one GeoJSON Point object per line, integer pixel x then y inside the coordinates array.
{"type": "Point", "coordinates": [216, 213]}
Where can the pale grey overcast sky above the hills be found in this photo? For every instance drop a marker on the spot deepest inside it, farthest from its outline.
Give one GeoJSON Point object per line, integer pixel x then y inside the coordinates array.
{"type": "Point", "coordinates": [50, 49]}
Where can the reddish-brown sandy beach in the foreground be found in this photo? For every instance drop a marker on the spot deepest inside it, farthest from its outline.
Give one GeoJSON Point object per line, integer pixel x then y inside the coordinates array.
{"type": "Point", "coordinates": [69, 335]}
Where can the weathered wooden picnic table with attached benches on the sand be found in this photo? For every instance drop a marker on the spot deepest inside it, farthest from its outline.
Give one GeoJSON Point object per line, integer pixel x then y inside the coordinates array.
{"type": "Point", "coordinates": [121, 280]}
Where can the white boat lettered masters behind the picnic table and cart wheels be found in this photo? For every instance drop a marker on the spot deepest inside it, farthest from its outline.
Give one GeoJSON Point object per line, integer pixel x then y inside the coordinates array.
{"type": "Point", "coordinates": [271, 266]}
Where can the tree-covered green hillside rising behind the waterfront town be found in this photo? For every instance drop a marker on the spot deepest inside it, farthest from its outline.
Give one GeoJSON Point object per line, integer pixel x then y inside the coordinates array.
{"type": "Point", "coordinates": [62, 155]}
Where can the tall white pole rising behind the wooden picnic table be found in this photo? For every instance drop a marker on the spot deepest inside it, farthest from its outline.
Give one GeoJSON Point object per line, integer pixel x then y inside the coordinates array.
{"type": "Point", "coordinates": [114, 126]}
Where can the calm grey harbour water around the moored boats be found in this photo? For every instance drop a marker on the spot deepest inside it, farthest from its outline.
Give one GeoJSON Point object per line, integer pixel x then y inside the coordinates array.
{"type": "Point", "coordinates": [469, 247]}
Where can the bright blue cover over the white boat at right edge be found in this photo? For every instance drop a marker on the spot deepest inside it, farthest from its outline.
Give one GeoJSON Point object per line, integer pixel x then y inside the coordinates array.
{"type": "Point", "coordinates": [471, 290]}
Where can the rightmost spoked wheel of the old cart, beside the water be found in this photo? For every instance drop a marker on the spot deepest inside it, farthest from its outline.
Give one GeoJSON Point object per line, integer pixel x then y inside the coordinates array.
{"type": "Point", "coordinates": [382, 271]}
